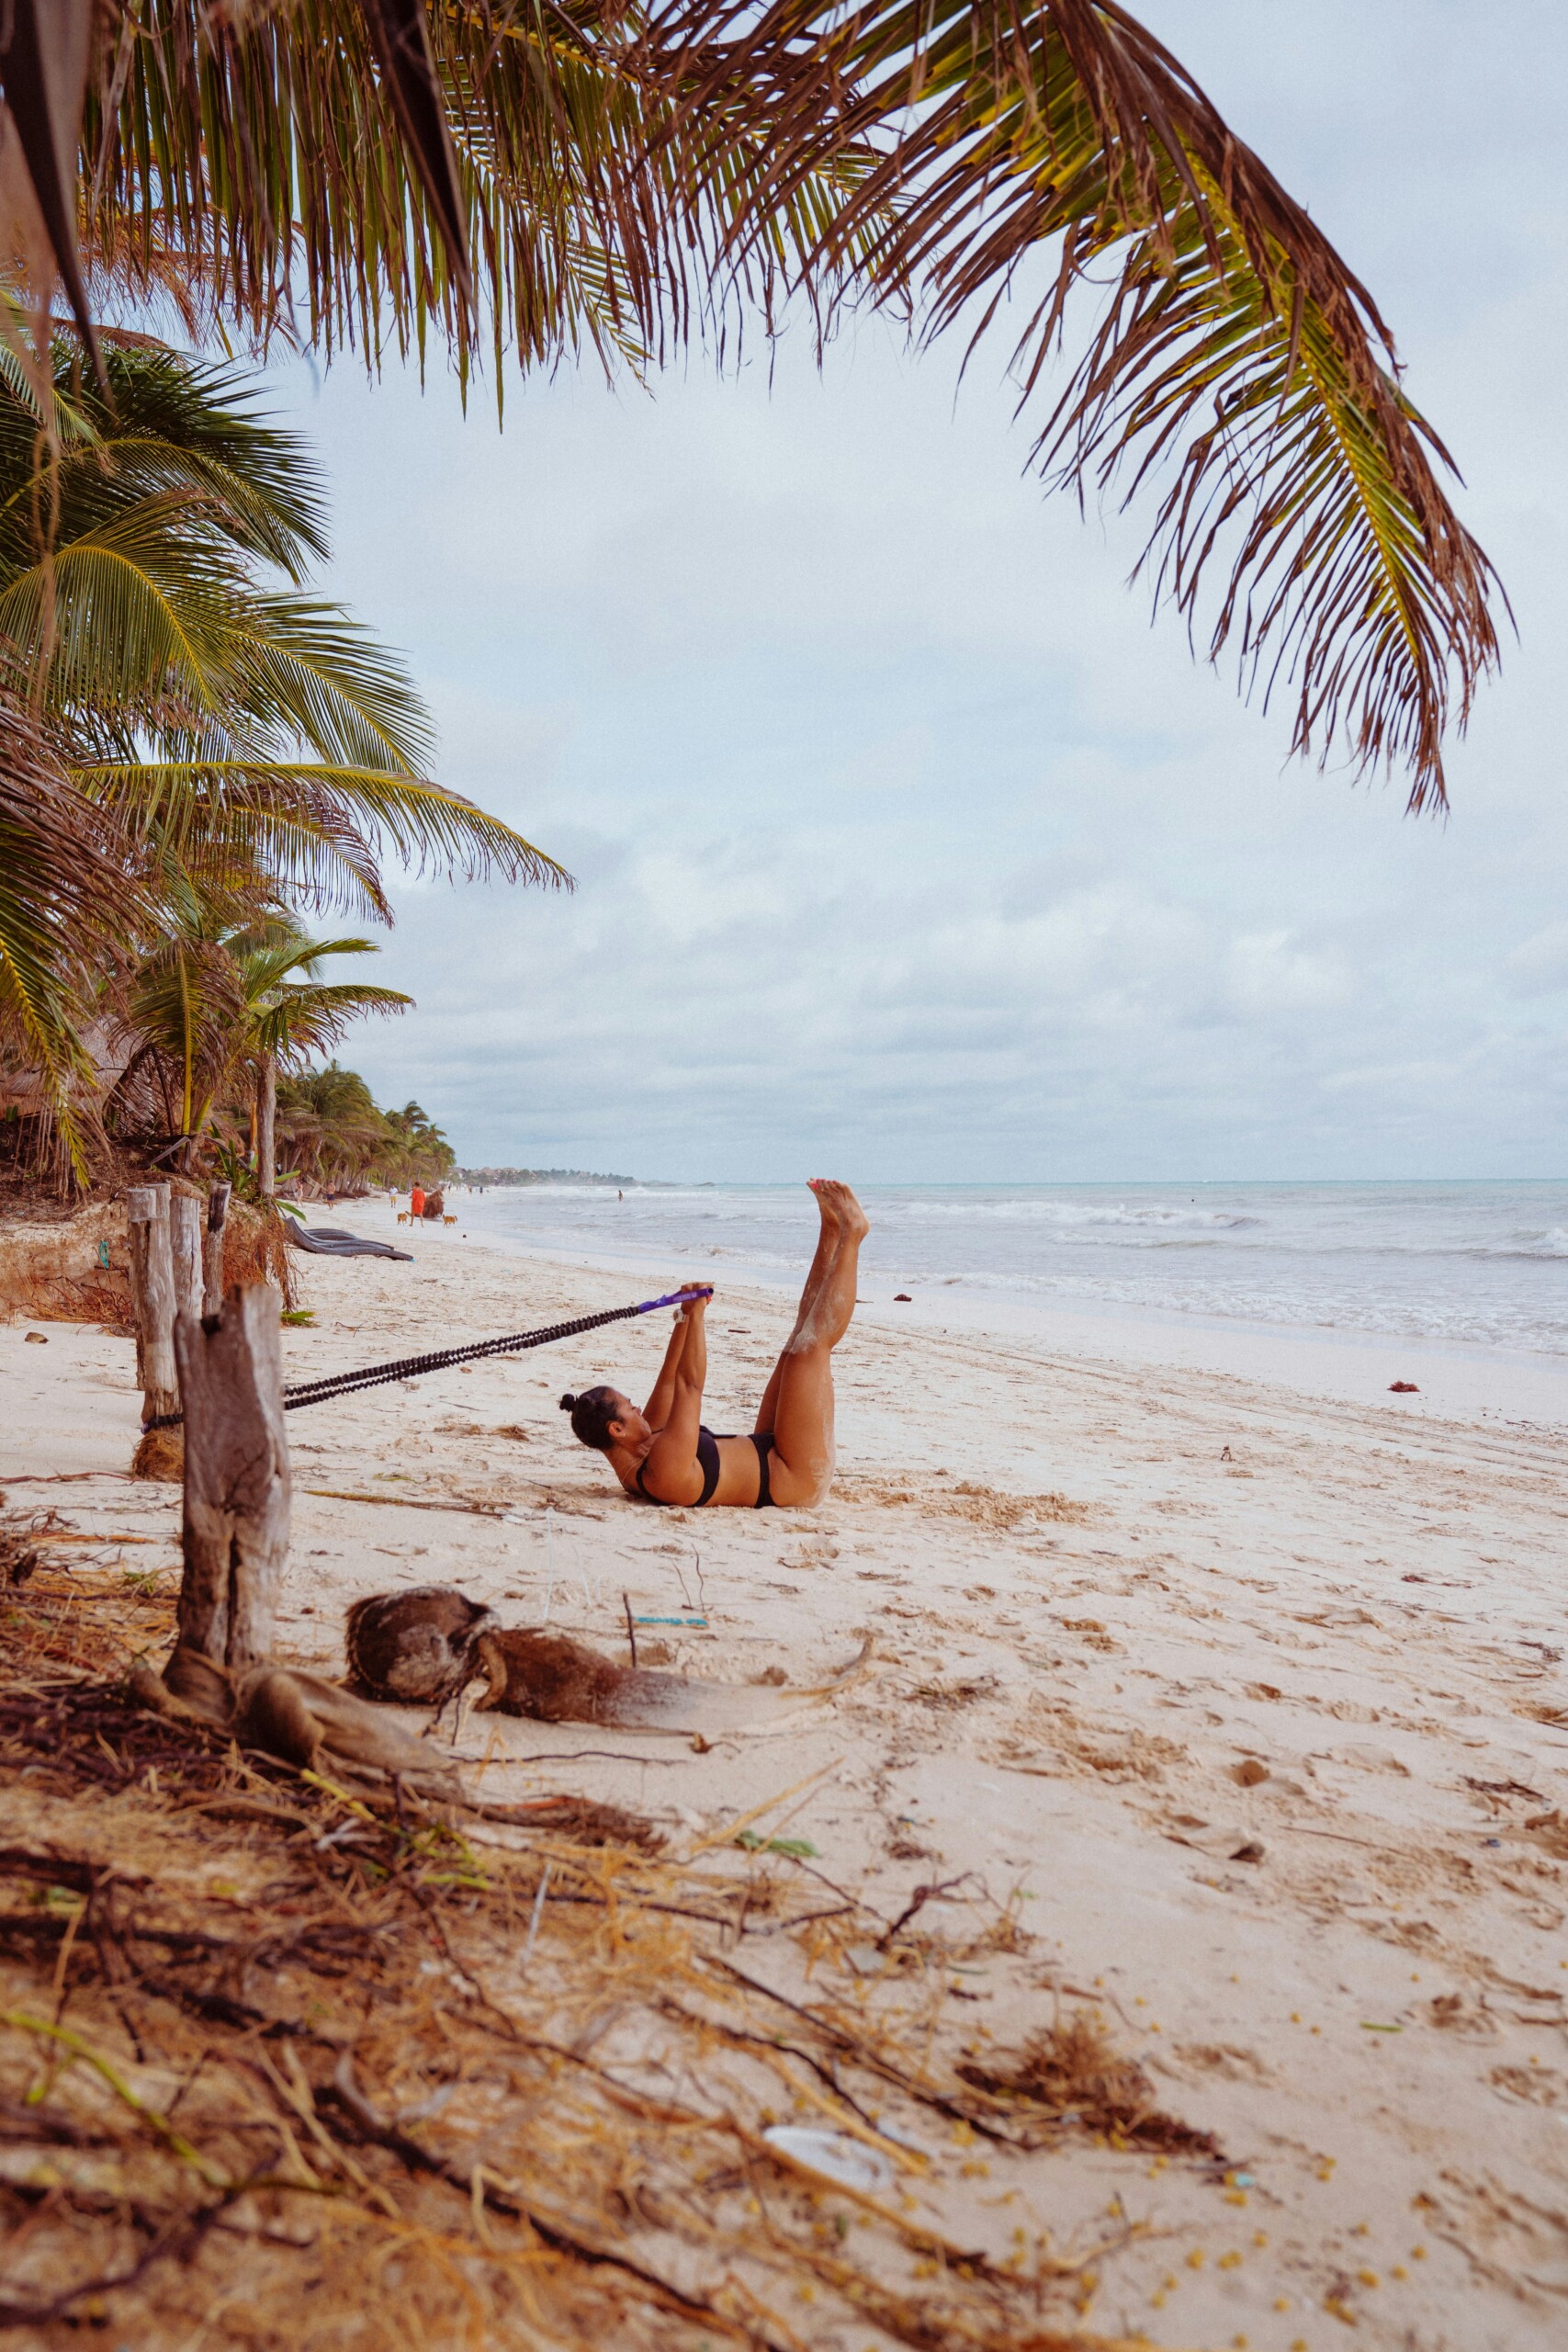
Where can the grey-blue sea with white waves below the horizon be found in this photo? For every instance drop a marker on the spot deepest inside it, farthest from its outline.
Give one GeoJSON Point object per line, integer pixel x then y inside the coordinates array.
{"type": "Point", "coordinates": [1482, 1264]}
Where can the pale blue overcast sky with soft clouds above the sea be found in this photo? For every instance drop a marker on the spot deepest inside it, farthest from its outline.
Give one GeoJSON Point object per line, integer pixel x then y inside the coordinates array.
{"type": "Point", "coordinates": [904, 846]}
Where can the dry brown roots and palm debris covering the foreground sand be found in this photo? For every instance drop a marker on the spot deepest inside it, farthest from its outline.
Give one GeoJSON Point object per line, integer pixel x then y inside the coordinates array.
{"type": "Point", "coordinates": [311, 2059]}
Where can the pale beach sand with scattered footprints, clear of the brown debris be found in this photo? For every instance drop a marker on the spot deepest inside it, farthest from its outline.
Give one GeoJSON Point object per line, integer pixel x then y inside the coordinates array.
{"type": "Point", "coordinates": [1104, 1591]}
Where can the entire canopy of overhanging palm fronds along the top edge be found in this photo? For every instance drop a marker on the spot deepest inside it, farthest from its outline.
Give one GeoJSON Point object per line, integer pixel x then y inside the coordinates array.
{"type": "Point", "coordinates": [502, 175]}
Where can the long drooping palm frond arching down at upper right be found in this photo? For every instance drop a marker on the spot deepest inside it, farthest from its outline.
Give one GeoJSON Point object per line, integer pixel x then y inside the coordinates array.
{"type": "Point", "coordinates": [1240, 373]}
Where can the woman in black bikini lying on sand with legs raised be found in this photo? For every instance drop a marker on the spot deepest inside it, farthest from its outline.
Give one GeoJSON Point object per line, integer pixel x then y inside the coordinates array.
{"type": "Point", "coordinates": [666, 1457]}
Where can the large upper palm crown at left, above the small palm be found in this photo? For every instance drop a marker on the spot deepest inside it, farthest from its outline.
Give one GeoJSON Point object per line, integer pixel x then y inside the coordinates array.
{"type": "Point", "coordinates": [203, 709]}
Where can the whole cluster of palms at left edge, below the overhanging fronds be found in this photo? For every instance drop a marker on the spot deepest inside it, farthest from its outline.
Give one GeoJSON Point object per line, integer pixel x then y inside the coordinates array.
{"type": "Point", "coordinates": [201, 756]}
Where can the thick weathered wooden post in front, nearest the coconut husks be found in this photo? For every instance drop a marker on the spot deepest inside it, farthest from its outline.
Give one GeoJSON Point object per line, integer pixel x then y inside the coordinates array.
{"type": "Point", "coordinates": [236, 1530]}
